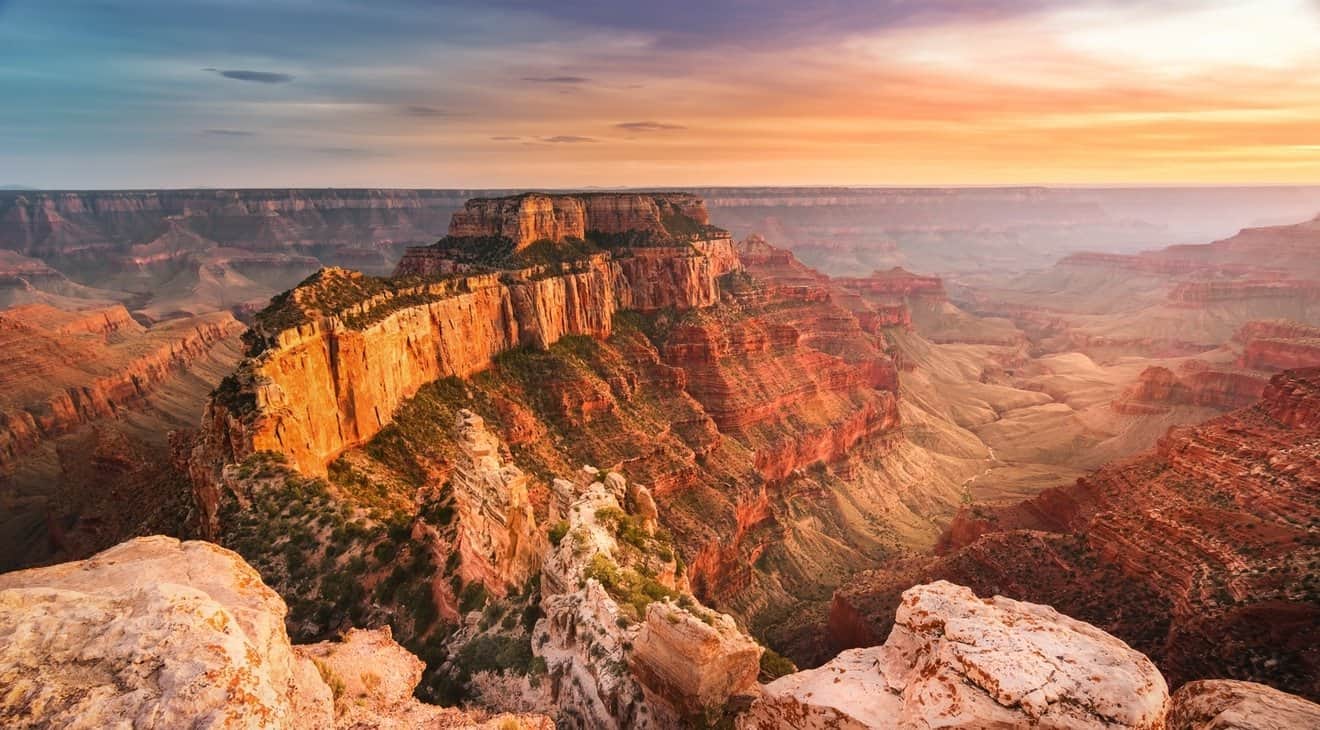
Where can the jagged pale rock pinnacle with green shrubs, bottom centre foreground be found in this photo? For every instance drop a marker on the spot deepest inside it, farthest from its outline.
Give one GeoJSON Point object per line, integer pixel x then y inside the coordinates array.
{"type": "Point", "coordinates": [625, 642]}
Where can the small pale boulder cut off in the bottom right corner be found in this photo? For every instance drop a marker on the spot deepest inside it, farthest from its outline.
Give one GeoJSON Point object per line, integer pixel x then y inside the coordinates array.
{"type": "Point", "coordinates": [1237, 706]}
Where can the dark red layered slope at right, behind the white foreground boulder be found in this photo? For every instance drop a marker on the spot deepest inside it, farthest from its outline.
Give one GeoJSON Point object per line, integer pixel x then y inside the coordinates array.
{"type": "Point", "coordinates": [1187, 552]}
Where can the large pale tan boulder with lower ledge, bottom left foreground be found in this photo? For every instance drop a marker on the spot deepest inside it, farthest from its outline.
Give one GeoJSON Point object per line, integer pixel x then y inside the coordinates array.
{"type": "Point", "coordinates": [156, 633]}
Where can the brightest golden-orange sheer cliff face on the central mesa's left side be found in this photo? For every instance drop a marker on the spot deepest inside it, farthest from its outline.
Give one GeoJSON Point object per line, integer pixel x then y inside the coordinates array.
{"type": "Point", "coordinates": [325, 386]}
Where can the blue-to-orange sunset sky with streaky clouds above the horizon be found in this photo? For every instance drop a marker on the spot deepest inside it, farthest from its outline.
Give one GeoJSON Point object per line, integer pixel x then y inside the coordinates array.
{"type": "Point", "coordinates": [600, 93]}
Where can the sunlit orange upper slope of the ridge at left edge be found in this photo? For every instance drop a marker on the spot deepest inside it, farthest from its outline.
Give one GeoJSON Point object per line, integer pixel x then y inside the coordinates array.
{"type": "Point", "coordinates": [68, 369]}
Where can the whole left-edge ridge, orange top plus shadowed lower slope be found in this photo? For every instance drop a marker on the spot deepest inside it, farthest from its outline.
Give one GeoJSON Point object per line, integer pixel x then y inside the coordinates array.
{"type": "Point", "coordinates": [88, 398]}
